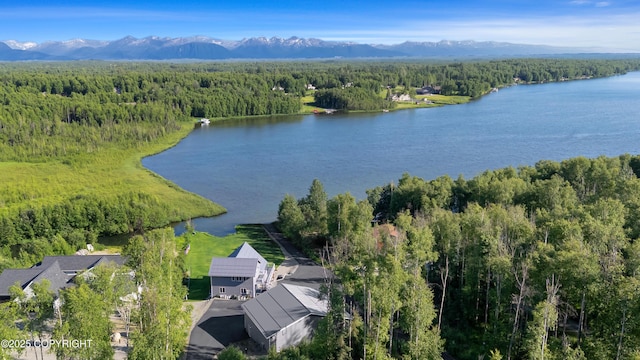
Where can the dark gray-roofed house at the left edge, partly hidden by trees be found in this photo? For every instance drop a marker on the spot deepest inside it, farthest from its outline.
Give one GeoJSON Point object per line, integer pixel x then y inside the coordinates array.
{"type": "Point", "coordinates": [59, 270]}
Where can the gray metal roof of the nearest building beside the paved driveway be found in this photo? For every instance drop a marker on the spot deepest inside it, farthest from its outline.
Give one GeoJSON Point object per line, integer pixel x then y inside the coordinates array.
{"type": "Point", "coordinates": [282, 306]}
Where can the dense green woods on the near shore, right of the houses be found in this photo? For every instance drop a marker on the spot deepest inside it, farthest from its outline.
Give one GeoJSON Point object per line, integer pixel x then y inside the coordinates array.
{"type": "Point", "coordinates": [537, 262]}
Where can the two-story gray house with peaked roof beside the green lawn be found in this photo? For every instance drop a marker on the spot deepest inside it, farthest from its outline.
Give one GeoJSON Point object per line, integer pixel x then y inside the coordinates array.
{"type": "Point", "coordinates": [242, 274]}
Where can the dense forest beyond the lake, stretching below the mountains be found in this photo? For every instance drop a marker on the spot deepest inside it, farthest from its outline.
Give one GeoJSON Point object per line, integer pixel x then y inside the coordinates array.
{"type": "Point", "coordinates": [42, 103]}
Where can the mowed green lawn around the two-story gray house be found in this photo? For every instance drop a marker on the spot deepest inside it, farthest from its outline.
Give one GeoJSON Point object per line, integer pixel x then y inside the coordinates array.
{"type": "Point", "coordinates": [205, 246]}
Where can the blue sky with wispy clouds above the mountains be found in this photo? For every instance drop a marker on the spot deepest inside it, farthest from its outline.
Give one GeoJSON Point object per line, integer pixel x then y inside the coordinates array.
{"type": "Point", "coordinates": [612, 24]}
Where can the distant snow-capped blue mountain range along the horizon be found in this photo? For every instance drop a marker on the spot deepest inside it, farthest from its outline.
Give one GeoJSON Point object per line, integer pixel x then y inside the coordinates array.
{"type": "Point", "coordinates": [206, 48]}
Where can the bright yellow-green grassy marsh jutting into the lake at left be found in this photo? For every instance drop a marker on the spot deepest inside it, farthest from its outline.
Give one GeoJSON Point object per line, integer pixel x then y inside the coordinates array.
{"type": "Point", "coordinates": [105, 173]}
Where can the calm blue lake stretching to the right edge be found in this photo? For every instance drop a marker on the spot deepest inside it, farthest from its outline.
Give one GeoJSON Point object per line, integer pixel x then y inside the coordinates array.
{"type": "Point", "coordinates": [248, 165]}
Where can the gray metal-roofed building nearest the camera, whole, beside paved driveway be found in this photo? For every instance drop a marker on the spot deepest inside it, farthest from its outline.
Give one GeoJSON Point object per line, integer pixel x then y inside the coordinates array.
{"type": "Point", "coordinates": [283, 316]}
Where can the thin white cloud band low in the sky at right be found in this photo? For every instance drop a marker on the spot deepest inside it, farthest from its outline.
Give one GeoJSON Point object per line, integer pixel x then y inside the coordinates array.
{"type": "Point", "coordinates": [621, 32]}
